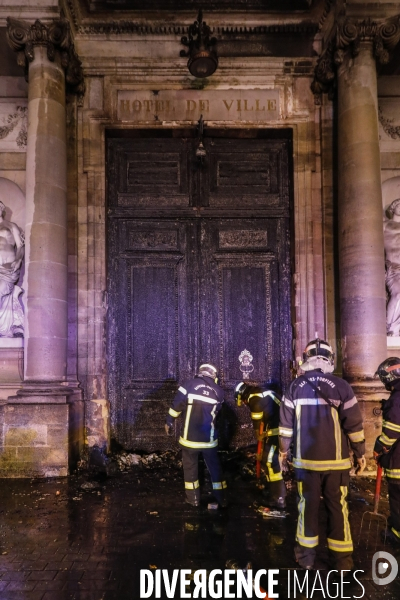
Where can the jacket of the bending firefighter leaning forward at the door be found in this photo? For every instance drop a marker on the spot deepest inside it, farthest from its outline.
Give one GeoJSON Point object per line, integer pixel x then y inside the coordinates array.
{"type": "Point", "coordinates": [264, 407]}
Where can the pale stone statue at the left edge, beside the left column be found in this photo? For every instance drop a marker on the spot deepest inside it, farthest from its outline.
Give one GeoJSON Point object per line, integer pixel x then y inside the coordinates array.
{"type": "Point", "coordinates": [11, 255]}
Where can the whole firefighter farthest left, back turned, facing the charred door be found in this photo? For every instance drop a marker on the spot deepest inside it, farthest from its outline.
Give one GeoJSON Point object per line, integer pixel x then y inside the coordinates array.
{"type": "Point", "coordinates": [199, 400]}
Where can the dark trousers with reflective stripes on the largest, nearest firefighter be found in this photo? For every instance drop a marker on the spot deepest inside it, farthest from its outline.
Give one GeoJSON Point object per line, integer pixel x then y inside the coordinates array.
{"type": "Point", "coordinates": [333, 487]}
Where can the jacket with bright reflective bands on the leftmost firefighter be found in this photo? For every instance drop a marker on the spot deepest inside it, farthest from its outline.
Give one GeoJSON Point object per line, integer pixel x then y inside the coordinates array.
{"type": "Point", "coordinates": [199, 401]}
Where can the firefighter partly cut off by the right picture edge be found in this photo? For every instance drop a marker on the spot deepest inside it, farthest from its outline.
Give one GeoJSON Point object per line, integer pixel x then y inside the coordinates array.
{"type": "Point", "coordinates": [387, 448]}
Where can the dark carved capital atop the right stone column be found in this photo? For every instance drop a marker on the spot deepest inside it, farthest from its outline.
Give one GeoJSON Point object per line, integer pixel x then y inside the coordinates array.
{"type": "Point", "coordinates": [347, 37]}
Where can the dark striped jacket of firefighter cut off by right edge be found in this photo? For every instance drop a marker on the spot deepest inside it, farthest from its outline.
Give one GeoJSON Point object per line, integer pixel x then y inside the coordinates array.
{"type": "Point", "coordinates": [388, 440]}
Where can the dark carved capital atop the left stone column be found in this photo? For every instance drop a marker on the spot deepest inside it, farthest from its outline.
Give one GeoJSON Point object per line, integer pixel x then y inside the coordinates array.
{"type": "Point", "coordinates": [56, 36]}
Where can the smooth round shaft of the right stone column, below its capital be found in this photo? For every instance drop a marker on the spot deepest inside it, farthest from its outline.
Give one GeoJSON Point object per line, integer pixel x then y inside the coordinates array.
{"type": "Point", "coordinates": [361, 252]}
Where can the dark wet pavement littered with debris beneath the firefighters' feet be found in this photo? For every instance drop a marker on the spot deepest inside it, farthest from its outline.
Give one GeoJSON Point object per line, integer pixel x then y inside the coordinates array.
{"type": "Point", "coordinates": [88, 537]}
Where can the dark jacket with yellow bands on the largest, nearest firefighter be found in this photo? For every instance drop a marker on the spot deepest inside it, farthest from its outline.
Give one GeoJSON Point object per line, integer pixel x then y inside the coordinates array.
{"type": "Point", "coordinates": [320, 415]}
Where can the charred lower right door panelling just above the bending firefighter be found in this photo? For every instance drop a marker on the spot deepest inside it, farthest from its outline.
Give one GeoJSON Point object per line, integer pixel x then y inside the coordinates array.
{"type": "Point", "coordinates": [241, 277]}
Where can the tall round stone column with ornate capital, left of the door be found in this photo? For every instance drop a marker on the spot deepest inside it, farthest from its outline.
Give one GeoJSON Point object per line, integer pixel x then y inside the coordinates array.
{"type": "Point", "coordinates": [47, 53]}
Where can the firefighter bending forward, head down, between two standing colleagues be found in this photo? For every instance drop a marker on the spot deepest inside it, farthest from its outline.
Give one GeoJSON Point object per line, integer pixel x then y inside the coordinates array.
{"type": "Point", "coordinates": [264, 407]}
